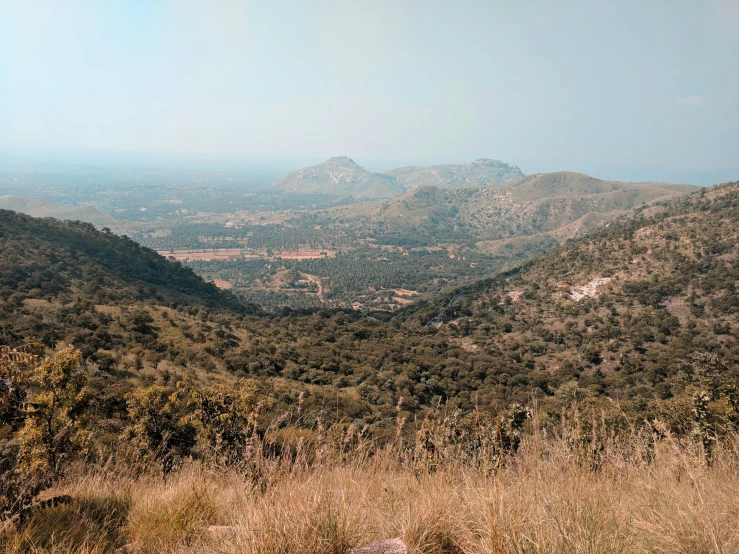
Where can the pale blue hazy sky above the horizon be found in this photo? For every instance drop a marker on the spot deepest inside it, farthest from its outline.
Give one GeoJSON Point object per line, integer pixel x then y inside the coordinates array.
{"type": "Point", "coordinates": [641, 89]}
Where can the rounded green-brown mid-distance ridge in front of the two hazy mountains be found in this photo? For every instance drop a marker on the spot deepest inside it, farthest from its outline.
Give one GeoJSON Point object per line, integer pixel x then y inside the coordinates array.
{"type": "Point", "coordinates": [552, 206]}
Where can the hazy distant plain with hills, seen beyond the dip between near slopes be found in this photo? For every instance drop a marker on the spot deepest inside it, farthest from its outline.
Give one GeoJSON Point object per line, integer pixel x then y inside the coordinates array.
{"type": "Point", "coordinates": [454, 224]}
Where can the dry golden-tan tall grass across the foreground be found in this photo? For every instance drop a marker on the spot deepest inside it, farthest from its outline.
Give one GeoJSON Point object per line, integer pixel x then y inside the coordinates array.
{"type": "Point", "coordinates": [546, 498]}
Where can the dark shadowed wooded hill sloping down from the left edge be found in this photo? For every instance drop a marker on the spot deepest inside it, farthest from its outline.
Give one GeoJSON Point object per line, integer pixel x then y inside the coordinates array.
{"type": "Point", "coordinates": [60, 262]}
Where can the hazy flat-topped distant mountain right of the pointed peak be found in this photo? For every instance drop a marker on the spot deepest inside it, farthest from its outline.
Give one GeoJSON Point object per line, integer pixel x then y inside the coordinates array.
{"type": "Point", "coordinates": [481, 172]}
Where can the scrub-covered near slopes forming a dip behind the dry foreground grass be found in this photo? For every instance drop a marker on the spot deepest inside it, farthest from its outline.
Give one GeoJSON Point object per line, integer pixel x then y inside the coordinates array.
{"type": "Point", "coordinates": [612, 314]}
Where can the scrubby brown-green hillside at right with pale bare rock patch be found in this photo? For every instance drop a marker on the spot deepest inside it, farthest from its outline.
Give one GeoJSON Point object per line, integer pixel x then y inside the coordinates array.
{"type": "Point", "coordinates": [613, 313]}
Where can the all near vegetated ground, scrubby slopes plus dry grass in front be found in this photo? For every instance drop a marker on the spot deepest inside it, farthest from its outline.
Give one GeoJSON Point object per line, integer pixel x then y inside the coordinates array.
{"type": "Point", "coordinates": [611, 359]}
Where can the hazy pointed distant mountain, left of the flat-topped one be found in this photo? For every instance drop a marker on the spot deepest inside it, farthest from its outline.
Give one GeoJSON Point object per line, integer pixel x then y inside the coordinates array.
{"type": "Point", "coordinates": [340, 176]}
